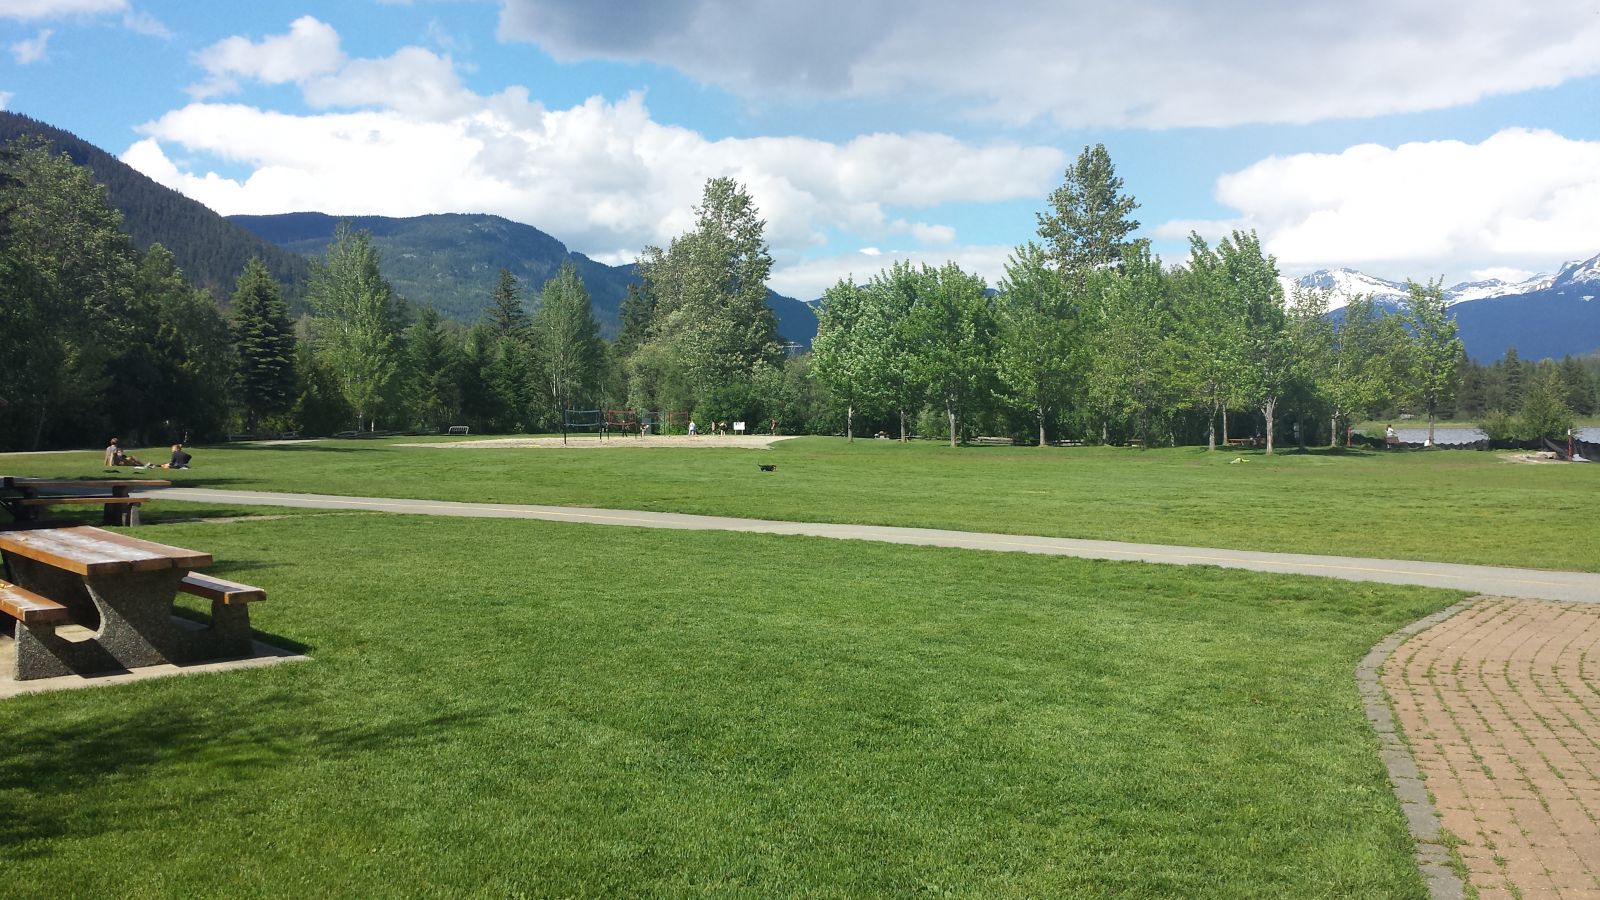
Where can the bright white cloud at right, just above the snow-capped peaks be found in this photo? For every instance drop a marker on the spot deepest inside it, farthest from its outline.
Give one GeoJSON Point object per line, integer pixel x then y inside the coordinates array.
{"type": "Point", "coordinates": [1521, 199]}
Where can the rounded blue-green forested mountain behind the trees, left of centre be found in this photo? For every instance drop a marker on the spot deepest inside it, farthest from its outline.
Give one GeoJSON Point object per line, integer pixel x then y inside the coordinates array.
{"type": "Point", "coordinates": [454, 262]}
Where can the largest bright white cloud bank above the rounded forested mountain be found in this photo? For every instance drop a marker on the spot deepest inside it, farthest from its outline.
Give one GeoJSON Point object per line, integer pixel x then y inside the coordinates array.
{"type": "Point", "coordinates": [402, 137]}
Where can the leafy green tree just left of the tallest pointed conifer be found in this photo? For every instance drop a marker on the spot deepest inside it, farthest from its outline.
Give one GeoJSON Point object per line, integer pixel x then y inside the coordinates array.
{"type": "Point", "coordinates": [1039, 334]}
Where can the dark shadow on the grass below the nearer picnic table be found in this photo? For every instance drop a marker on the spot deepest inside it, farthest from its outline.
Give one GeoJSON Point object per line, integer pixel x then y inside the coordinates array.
{"type": "Point", "coordinates": [234, 744]}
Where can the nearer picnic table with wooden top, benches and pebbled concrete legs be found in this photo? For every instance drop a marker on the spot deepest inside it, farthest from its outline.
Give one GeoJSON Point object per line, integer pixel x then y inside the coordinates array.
{"type": "Point", "coordinates": [122, 592]}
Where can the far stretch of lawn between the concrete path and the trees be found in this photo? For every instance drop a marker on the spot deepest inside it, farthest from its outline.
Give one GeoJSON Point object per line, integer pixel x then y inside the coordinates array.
{"type": "Point", "coordinates": [1452, 507]}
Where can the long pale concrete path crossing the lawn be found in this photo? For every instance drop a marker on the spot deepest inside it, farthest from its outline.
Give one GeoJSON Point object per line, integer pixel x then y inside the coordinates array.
{"type": "Point", "coordinates": [1526, 584]}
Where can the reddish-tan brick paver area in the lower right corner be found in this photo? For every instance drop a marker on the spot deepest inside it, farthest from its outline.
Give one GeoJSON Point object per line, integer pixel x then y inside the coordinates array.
{"type": "Point", "coordinates": [1502, 705]}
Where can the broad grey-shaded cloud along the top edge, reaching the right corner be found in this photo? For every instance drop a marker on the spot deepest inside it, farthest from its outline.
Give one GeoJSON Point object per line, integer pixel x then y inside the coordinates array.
{"type": "Point", "coordinates": [1086, 63]}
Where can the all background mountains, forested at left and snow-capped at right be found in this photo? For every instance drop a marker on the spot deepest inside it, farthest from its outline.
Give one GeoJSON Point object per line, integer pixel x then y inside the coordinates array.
{"type": "Point", "coordinates": [454, 262]}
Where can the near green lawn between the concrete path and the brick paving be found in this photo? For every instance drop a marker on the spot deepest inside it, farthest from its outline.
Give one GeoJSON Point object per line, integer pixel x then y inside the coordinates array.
{"type": "Point", "coordinates": [519, 709]}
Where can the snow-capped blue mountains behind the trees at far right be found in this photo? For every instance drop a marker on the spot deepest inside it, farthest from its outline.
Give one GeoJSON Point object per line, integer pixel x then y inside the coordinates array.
{"type": "Point", "coordinates": [1545, 318]}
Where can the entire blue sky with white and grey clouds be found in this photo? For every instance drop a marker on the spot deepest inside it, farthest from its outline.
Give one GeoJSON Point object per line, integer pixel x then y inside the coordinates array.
{"type": "Point", "coordinates": [1407, 139]}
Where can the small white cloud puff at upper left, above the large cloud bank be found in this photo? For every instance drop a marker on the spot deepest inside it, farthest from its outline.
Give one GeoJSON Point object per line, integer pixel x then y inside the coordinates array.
{"type": "Point", "coordinates": [311, 49]}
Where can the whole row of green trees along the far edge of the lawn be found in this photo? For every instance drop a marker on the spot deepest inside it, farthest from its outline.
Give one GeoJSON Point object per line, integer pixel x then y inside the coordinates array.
{"type": "Point", "coordinates": [1089, 337]}
